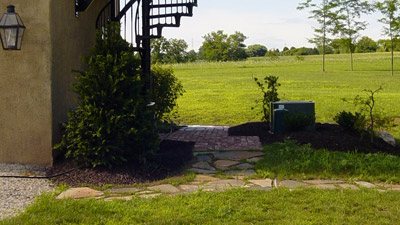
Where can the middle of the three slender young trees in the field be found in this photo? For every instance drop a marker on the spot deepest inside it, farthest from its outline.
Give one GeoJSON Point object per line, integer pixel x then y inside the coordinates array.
{"type": "Point", "coordinates": [347, 24]}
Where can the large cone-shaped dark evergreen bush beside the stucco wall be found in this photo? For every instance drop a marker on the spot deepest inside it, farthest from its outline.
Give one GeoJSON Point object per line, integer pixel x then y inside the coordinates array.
{"type": "Point", "coordinates": [111, 124]}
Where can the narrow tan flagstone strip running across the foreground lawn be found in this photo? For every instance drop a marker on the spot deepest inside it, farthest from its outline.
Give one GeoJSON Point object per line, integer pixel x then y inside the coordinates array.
{"type": "Point", "coordinates": [207, 183]}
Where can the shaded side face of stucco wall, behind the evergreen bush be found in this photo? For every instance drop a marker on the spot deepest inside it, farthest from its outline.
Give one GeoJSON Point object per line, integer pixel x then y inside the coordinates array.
{"type": "Point", "coordinates": [72, 38]}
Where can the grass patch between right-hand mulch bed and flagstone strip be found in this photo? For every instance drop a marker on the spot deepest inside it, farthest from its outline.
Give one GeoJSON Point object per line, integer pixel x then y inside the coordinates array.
{"type": "Point", "coordinates": [290, 161]}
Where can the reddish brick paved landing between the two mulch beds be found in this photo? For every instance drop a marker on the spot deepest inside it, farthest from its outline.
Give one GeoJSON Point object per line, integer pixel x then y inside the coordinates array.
{"type": "Point", "coordinates": [213, 138]}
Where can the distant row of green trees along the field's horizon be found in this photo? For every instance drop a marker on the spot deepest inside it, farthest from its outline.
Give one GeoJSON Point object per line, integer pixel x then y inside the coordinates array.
{"type": "Point", "coordinates": [222, 47]}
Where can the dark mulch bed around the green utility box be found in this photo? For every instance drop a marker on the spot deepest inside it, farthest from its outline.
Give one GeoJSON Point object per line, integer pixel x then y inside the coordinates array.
{"type": "Point", "coordinates": [327, 136]}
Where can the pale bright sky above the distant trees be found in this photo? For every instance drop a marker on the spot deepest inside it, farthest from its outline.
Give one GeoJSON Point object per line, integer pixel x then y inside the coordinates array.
{"type": "Point", "coordinates": [273, 23]}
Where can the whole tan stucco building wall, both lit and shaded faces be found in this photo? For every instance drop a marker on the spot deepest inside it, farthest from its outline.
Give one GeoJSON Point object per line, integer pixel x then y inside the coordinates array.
{"type": "Point", "coordinates": [35, 83]}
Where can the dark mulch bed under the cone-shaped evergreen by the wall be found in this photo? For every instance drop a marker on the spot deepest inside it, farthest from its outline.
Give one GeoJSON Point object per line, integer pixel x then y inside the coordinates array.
{"type": "Point", "coordinates": [170, 161]}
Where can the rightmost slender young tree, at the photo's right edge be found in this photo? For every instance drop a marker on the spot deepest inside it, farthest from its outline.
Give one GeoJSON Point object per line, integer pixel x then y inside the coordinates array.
{"type": "Point", "coordinates": [390, 10]}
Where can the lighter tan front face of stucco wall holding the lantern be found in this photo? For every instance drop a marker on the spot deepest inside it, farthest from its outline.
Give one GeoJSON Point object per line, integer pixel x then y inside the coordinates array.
{"type": "Point", "coordinates": [25, 89]}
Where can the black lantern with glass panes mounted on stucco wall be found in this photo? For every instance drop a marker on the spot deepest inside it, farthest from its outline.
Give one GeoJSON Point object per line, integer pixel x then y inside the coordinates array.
{"type": "Point", "coordinates": [11, 29]}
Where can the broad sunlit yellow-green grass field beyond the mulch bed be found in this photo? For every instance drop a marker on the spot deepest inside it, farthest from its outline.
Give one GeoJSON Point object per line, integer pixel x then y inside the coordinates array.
{"type": "Point", "coordinates": [223, 93]}
